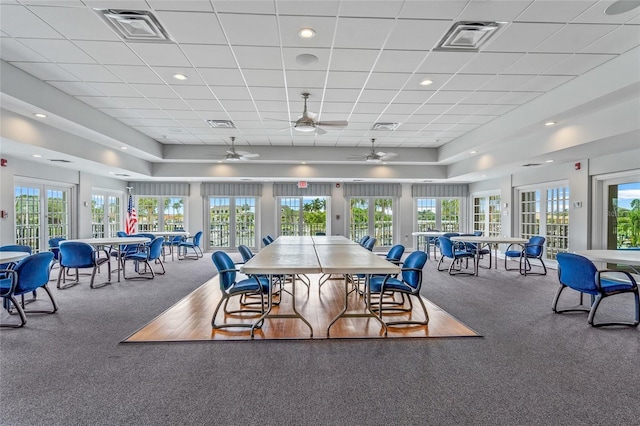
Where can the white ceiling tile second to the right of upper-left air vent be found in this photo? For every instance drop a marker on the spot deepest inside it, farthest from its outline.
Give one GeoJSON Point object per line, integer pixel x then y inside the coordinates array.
{"type": "Point", "coordinates": [264, 29]}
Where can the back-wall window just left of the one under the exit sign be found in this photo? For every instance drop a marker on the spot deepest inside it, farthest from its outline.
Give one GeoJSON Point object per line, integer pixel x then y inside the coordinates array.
{"type": "Point", "coordinates": [232, 222]}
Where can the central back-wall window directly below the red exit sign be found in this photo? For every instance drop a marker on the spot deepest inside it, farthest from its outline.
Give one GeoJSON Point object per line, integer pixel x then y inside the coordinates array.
{"type": "Point", "coordinates": [303, 215]}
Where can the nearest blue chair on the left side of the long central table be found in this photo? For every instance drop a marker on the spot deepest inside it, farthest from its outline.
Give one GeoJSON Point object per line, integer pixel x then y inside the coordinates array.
{"type": "Point", "coordinates": [230, 286]}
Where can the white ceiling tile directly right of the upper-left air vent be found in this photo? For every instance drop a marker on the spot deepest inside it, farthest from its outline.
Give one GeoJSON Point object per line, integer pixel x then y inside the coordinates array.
{"type": "Point", "coordinates": [192, 27]}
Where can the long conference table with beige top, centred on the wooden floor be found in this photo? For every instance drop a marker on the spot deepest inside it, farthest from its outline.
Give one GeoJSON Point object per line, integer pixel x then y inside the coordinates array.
{"type": "Point", "coordinates": [312, 255]}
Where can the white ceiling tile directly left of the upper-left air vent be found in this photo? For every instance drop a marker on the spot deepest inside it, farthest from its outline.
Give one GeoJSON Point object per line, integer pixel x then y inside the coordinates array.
{"type": "Point", "coordinates": [75, 23]}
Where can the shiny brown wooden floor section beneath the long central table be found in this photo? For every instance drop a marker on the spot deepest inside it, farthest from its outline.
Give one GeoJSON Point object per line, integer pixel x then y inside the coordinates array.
{"type": "Point", "coordinates": [190, 318]}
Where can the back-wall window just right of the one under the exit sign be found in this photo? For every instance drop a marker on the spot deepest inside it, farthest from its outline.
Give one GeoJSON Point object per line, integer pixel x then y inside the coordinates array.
{"type": "Point", "coordinates": [372, 216]}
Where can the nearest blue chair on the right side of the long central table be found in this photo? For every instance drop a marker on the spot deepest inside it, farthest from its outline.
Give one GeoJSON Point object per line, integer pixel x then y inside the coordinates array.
{"type": "Point", "coordinates": [408, 283]}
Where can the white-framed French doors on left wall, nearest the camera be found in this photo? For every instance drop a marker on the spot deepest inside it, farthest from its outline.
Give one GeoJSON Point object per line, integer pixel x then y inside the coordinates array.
{"type": "Point", "coordinates": [41, 212]}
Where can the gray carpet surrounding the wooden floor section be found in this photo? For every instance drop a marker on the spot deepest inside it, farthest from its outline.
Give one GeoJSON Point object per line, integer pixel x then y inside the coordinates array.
{"type": "Point", "coordinates": [531, 366]}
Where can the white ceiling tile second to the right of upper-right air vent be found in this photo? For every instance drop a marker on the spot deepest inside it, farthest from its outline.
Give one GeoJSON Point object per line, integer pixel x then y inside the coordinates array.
{"type": "Point", "coordinates": [574, 37]}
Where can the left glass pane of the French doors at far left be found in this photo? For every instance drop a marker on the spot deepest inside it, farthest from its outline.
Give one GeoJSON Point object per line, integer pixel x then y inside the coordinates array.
{"type": "Point", "coordinates": [27, 208]}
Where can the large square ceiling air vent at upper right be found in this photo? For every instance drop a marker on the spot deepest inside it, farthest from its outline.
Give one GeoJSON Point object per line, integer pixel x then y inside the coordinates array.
{"type": "Point", "coordinates": [468, 36]}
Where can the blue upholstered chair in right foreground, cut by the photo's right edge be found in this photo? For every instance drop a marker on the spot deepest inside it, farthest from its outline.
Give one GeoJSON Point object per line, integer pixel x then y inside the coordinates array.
{"type": "Point", "coordinates": [580, 274]}
